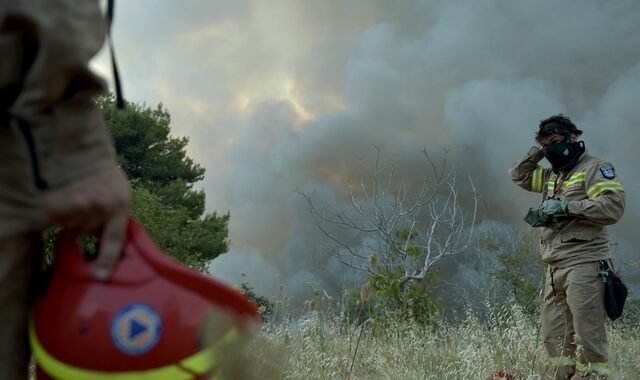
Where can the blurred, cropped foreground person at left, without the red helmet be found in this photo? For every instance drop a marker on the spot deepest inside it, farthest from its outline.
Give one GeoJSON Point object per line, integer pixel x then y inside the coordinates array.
{"type": "Point", "coordinates": [57, 162]}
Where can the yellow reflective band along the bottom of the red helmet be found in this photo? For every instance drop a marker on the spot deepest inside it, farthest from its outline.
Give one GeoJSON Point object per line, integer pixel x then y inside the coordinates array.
{"type": "Point", "coordinates": [63, 371]}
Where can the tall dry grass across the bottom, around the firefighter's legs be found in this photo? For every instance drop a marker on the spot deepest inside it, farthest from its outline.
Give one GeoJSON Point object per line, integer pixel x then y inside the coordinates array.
{"type": "Point", "coordinates": [323, 348]}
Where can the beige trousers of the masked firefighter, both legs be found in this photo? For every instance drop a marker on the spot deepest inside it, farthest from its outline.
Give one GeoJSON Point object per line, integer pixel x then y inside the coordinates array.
{"type": "Point", "coordinates": [573, 322]}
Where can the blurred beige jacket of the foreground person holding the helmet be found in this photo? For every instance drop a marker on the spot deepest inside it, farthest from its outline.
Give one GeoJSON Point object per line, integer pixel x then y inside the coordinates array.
{"type": "Point", "coordinates": [46, 88]}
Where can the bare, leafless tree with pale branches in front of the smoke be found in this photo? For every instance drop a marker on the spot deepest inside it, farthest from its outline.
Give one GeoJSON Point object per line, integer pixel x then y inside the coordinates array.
{"type": "Point", "coordinates": [397, 227]}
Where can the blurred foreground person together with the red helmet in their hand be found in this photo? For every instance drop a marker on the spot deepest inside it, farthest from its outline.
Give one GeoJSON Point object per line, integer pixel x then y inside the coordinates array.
{"type": "Point", "coordinates": [130, 312]}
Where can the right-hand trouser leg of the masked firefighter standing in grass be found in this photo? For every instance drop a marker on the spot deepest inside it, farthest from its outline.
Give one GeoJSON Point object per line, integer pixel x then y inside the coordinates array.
{"type": "Point", "coordinates": [585, 296]}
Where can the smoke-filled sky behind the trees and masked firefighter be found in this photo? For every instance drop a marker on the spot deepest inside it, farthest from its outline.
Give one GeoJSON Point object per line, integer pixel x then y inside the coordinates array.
{"type": "Point", "coordinates": [281, 97]}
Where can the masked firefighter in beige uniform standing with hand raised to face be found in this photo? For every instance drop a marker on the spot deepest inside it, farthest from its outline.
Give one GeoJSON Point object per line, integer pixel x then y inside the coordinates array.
{"type": "Point", "coordinates": [581, 195]}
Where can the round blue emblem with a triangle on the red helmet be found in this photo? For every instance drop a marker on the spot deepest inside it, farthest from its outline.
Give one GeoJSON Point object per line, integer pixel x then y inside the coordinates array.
{"type": "Point", "coordinates": [136, 329]}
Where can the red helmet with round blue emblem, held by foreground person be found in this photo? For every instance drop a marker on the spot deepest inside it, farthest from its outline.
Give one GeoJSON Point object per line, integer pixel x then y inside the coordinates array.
{"type": "Point", "coordinates": [145, 322]}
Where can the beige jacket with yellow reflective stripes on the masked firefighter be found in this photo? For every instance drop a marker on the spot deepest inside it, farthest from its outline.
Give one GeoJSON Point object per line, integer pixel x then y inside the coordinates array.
{"type": "Point", "coordinates": [596, 199]}
